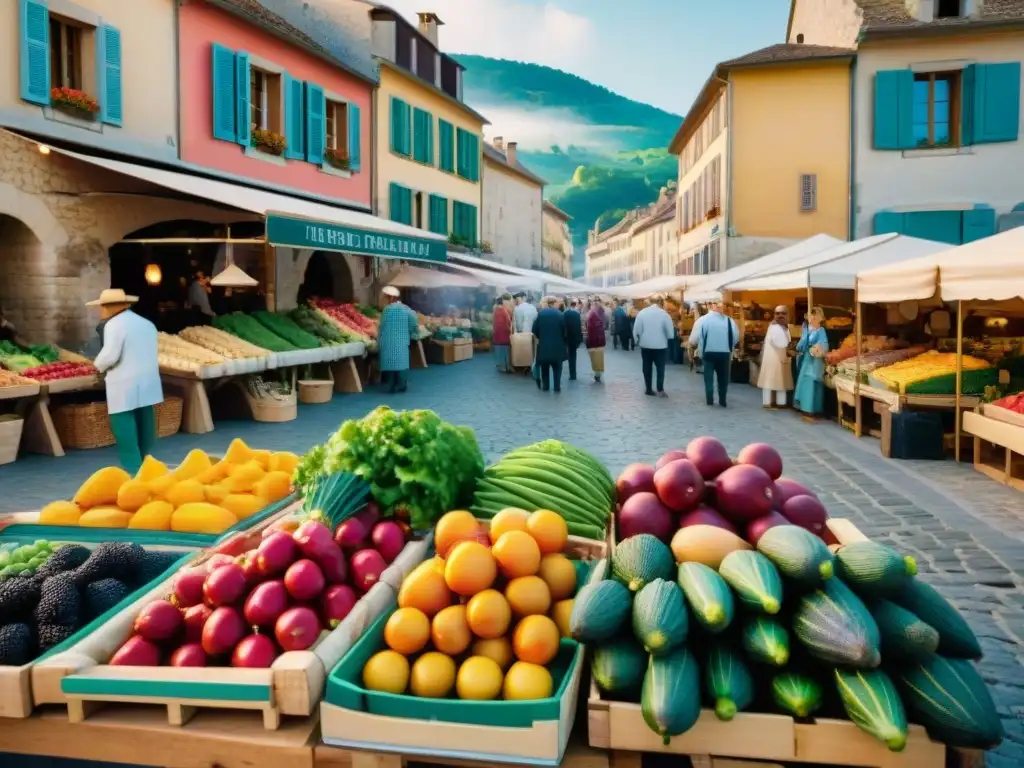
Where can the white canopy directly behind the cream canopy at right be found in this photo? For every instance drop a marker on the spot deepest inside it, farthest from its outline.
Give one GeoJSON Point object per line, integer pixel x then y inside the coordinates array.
{"type": "Point", "coordinates": [838, 268]}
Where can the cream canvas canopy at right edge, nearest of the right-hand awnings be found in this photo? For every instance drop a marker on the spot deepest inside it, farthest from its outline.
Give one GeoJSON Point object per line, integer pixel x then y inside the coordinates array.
{"type": "Point", "coordinates": [988, 270]}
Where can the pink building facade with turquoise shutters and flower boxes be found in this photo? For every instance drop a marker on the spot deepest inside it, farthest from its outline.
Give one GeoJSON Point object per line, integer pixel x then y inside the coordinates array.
{"type": "Point", "coordinates": [263, 102]}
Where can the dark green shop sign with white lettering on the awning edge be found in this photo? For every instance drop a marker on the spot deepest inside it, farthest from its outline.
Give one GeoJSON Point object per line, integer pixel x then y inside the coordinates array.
{"type": "Point", "coordinates": [296, 233]}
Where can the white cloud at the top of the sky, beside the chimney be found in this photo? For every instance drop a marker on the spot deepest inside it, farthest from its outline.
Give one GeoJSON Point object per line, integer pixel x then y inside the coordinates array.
{"type": "Point", "coordinates": [539, 33]}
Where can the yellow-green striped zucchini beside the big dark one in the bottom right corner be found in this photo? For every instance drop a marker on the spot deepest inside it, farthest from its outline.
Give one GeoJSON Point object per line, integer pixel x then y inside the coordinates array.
{"type": "Point", "coordinates": [872, 703]}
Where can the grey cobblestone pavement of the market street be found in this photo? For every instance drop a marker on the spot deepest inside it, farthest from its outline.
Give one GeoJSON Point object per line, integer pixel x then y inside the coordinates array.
{"type": "Point", "coordinates": [966, 531]}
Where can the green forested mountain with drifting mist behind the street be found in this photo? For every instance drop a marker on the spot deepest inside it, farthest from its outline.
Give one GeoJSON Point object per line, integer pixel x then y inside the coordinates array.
{"type": "Point", "coordinates": [602, 154]}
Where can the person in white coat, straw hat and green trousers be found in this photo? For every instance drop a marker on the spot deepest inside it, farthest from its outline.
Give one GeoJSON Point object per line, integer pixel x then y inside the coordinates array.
{"type": "Point", "coordinates": [132, 371]}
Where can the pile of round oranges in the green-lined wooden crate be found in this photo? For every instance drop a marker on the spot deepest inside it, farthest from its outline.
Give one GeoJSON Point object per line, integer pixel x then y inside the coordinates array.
{"type": "Point", "coordinates": [484, 619]}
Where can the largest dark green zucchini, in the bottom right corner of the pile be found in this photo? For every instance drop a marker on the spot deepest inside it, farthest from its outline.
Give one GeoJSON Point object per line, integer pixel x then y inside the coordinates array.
{"type": "Point", "coordinates": [952, 701]}
